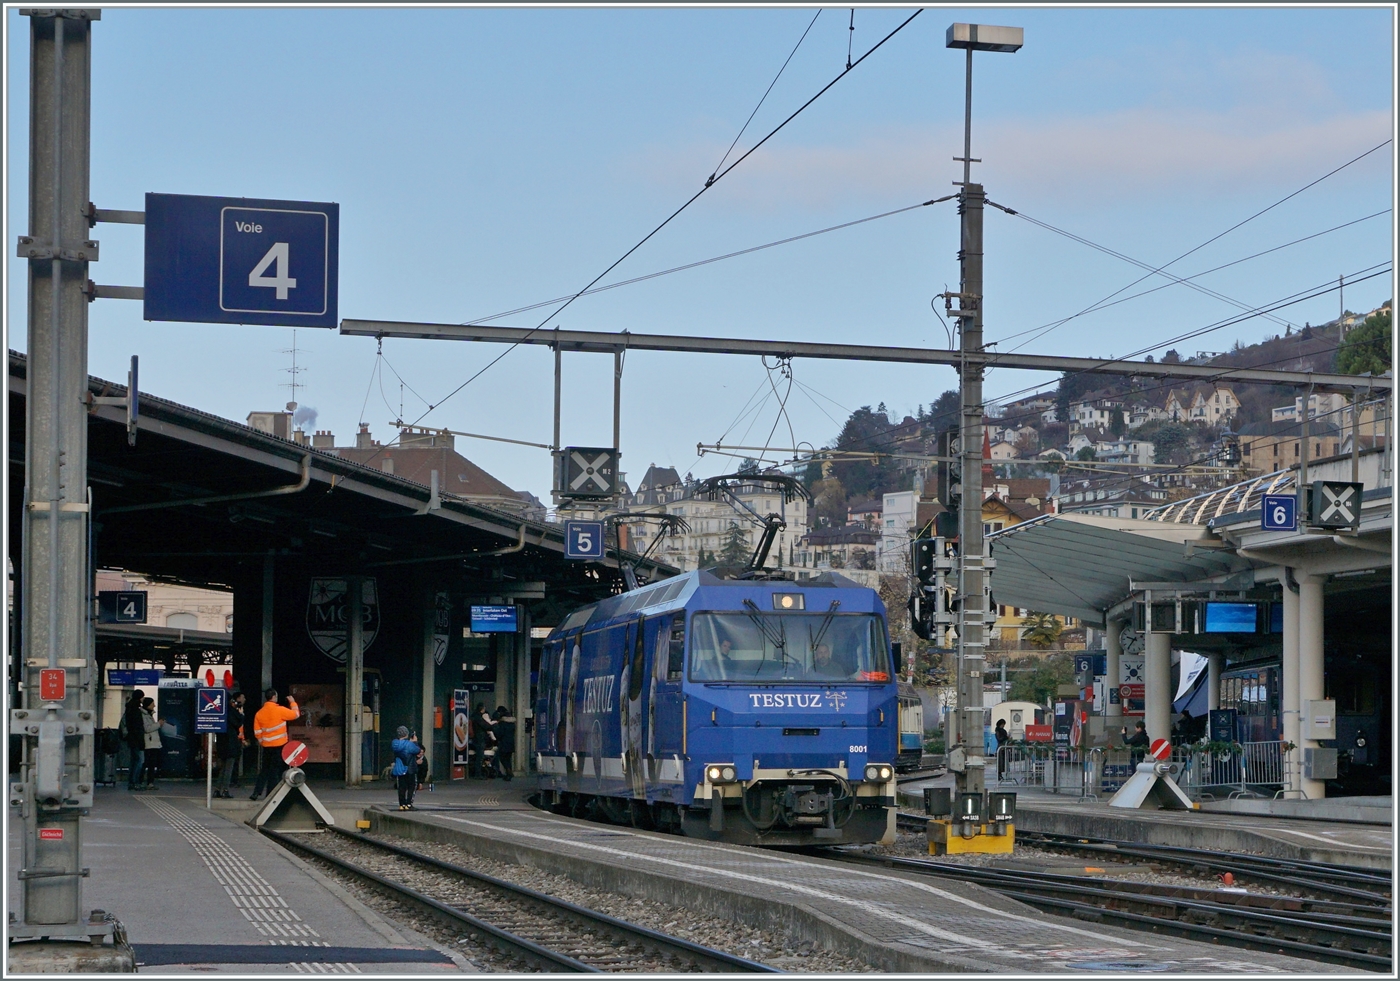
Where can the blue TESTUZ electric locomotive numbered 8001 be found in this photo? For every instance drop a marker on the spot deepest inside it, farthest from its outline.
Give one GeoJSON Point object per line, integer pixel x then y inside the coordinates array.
{"type": "Point", "coordinates": [754, 712]}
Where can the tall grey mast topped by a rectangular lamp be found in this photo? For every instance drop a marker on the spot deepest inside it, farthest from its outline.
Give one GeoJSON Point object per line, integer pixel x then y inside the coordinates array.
{"type": "Point", "coordinates": [967, 758]}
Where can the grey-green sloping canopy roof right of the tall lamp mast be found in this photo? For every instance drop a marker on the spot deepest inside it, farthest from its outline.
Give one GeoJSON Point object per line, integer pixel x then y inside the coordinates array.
{"type": "Point", "coordinates": [1081, 566]}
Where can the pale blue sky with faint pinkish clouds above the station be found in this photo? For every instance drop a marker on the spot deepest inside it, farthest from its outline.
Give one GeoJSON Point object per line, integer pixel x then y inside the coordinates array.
{"type": "Point", "coordinates": [491, 159]}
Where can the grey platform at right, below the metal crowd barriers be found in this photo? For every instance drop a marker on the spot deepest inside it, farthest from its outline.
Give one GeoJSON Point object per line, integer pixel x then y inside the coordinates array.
{"type": "Point", "coordinates": [1307, 831]}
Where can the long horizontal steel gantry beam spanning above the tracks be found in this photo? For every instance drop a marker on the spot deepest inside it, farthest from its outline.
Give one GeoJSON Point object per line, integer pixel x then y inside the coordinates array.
{"type": "Point", "coordinates": [604, 342]}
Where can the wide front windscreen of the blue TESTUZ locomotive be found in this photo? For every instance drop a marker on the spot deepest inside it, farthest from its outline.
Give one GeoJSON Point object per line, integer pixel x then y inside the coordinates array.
{"type": "Point", "coordinates": [789, 647]}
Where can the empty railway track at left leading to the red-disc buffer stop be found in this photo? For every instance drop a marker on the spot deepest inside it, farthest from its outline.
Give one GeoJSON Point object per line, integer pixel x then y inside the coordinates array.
{"type": "Point", "coordinates": [533, 930]}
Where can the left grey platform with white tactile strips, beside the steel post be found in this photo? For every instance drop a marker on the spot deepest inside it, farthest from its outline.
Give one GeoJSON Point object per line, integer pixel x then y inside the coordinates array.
{"type": "Point", "coordinates": [199, 894]}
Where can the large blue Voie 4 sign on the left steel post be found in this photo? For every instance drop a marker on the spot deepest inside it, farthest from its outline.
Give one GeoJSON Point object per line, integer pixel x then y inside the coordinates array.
{"type": "Point", "coordinates": [241, 261]}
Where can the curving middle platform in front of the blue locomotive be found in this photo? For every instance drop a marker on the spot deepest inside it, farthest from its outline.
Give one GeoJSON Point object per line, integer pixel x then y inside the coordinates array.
{"type": "Point", "coordinates": [894, 922]}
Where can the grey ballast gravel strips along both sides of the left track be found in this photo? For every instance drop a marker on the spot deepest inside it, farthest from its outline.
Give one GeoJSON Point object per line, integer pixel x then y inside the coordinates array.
{"type": "Point", "coordinates": [731, 937]}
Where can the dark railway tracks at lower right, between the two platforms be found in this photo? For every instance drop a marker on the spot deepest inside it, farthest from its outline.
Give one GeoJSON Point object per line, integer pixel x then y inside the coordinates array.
{"type": "Point", "coordinates": [1354, 934]}
